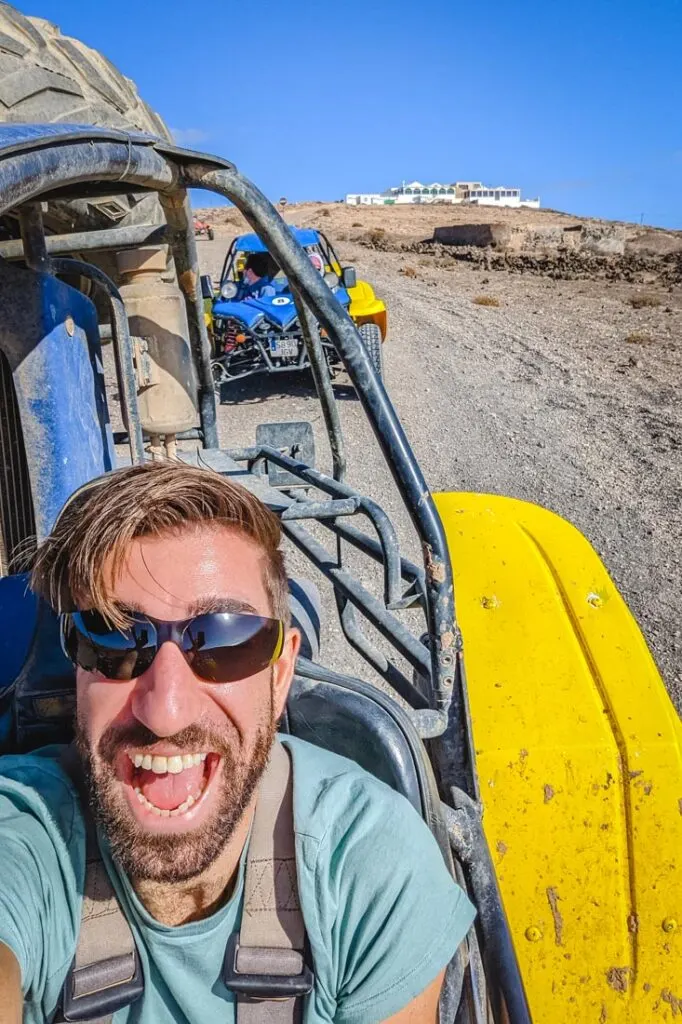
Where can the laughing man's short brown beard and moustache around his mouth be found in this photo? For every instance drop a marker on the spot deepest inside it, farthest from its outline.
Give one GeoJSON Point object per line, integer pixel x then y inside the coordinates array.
{"type": "Point", "coordinates": [144, 856]}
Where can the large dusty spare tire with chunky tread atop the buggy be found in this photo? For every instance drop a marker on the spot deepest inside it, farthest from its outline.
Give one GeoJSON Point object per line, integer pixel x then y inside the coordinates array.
{"type": "Point", "coordinates": [47, 78]}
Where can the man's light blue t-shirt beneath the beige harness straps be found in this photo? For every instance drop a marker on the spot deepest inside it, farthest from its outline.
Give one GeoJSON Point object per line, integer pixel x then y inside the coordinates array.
{"type": "Point", "coordinates": [382, 914]}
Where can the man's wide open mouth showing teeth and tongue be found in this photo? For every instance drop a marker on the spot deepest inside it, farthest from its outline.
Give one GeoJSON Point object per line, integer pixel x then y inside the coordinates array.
{"type": "Point", "coordinates": [172, 787]}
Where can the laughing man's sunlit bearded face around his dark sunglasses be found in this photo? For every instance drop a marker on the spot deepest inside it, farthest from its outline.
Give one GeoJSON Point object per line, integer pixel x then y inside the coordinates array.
{"type": "Point", "coordinates": [170, 826]}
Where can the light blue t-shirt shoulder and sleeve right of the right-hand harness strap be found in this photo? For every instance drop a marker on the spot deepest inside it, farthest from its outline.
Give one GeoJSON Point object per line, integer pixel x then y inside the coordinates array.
{"type": "Point", "coordinates": [382, 913]}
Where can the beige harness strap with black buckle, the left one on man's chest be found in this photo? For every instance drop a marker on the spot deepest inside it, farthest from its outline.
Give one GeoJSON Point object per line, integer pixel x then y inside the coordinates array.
{"type": "Point", "coordinates": [106, 974]}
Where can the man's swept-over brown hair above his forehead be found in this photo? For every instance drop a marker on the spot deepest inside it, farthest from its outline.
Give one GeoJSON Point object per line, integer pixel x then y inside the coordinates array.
{"type": "Point", "coordinates": [79, 564]}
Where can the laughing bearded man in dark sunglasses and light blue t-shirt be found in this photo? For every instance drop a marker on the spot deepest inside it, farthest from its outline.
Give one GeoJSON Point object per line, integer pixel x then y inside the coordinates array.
{"type": "Point", "coordinates": [175, 605]}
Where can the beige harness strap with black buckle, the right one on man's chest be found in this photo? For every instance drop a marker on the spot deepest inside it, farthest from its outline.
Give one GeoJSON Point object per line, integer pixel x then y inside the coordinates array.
{"type": "Point", "coordinates": [266, 962]}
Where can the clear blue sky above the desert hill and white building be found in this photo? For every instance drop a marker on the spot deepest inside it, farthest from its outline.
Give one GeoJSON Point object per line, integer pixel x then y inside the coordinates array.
{"type": "Point", "coordinates": [580, 103]}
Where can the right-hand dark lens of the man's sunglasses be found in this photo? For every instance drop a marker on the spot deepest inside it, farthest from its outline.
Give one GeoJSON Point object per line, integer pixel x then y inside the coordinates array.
{"type": "Point", "coordinates": [226, 648]}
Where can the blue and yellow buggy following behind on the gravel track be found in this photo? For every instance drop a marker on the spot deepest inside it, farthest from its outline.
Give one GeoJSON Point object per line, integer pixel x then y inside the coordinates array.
{"type": "Point", "coordinates": [255, 324]}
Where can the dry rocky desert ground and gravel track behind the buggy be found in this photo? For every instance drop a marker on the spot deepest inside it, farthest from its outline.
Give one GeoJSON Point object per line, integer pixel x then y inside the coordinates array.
{"type": "Point", "coordinates": [544, 362]}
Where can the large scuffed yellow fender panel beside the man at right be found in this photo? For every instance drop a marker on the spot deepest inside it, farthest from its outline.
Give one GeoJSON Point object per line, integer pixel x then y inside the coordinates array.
{"type": "Point", "coordinates": [580, 762]}
